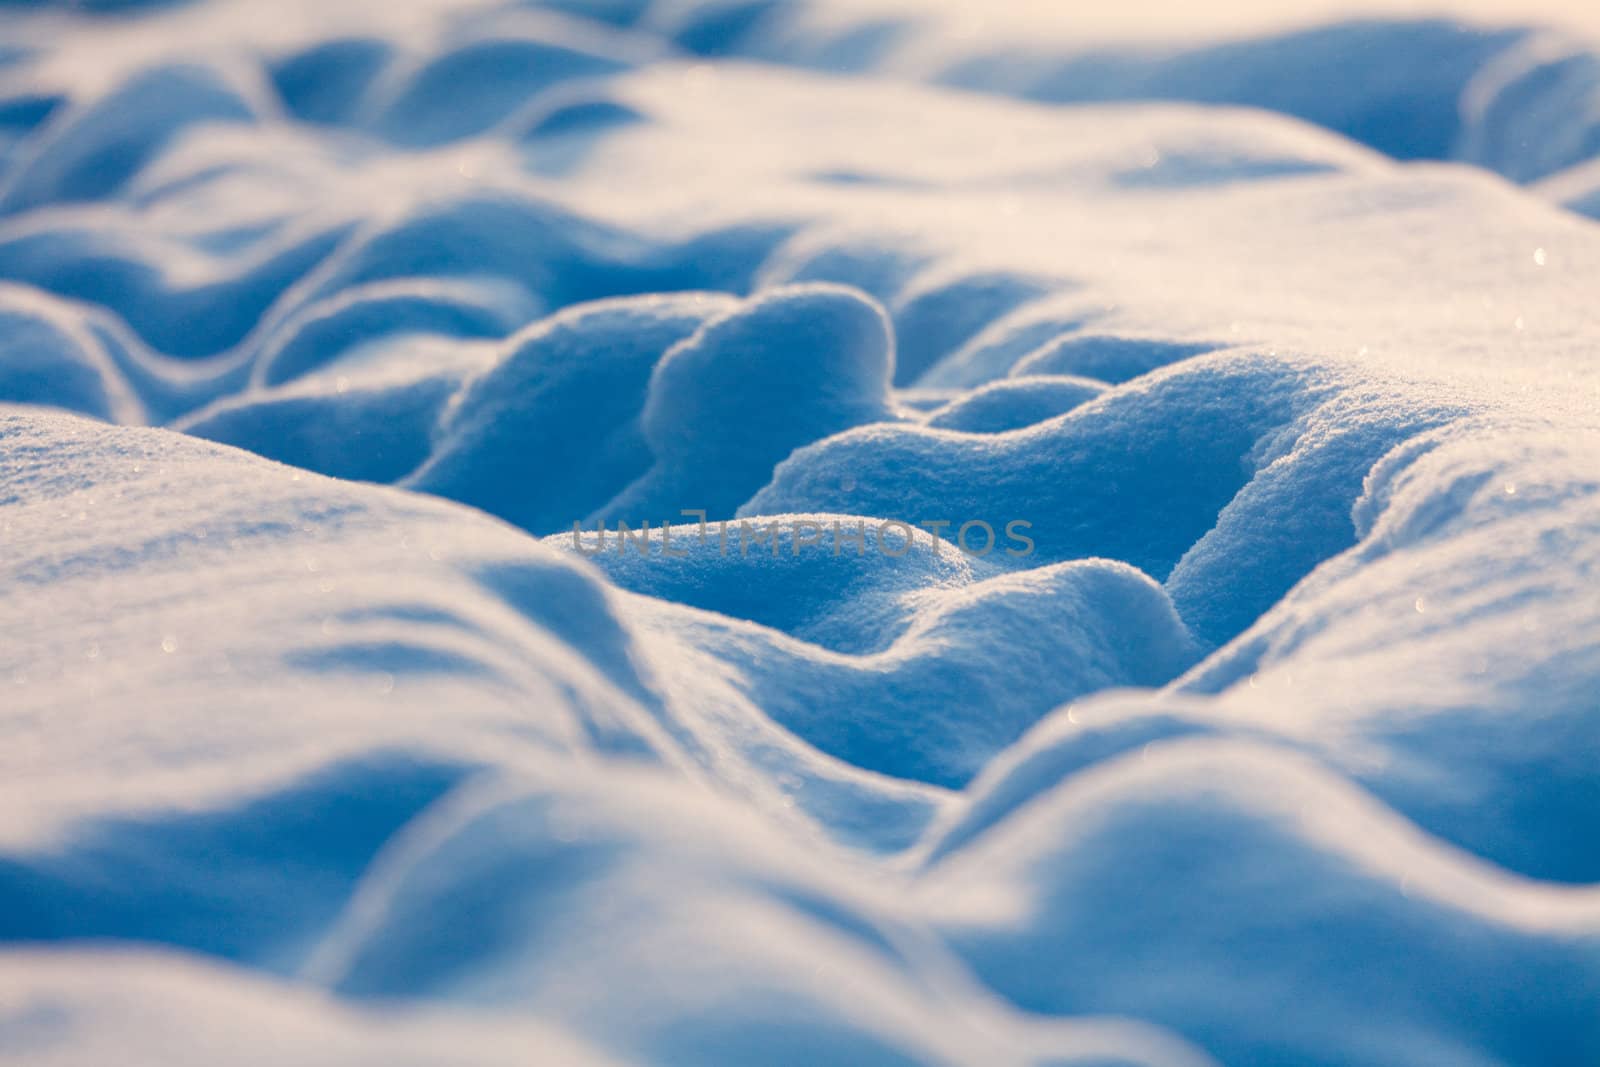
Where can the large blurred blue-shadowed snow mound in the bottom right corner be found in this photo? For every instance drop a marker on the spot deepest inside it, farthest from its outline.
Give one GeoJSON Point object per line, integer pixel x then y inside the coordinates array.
{"type": "Point", "coordinates": [1286, 852]}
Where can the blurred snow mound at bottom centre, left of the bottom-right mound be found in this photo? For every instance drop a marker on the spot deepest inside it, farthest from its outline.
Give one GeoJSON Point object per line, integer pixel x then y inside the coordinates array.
{"type": "Point", "coordinates": [734, 949]}
